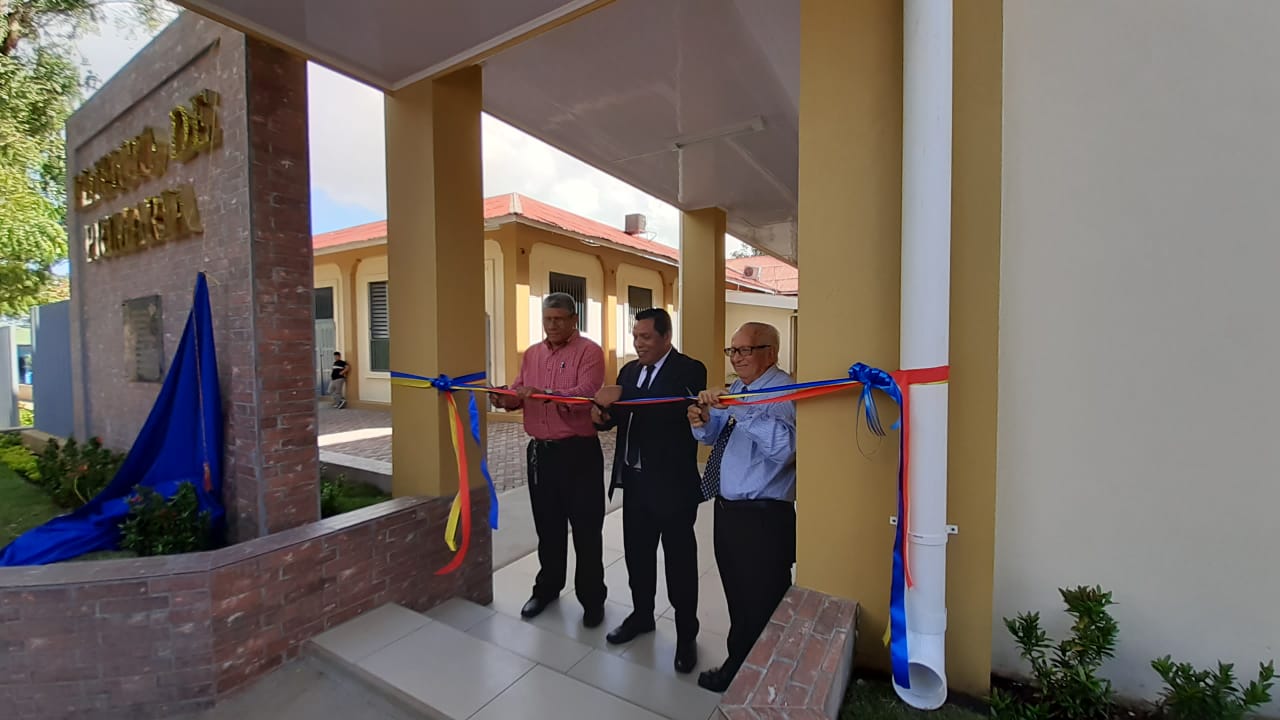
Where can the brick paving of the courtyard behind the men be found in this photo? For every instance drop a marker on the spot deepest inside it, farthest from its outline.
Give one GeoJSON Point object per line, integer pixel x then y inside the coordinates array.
{"type": "Point", "coordinates": [506, 452]}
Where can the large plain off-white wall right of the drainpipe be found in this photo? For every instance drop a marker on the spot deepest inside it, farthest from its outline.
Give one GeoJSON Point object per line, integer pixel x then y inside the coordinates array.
{"type": "Point", "coordinates": [1140, 444]}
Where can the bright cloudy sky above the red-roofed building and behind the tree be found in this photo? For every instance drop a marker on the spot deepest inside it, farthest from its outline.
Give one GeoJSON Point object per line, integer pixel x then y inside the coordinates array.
{"type": "Point", "coordinates": [349, 184]}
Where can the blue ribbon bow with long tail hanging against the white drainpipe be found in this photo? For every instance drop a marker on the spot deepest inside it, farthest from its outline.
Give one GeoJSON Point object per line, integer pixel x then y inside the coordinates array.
{"type": "Point", "coordinates": [875, 379]}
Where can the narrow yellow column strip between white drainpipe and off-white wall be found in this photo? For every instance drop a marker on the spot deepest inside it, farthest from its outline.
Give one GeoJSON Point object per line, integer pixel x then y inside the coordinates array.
{"type": "Point", "coordinates": [976, 207]}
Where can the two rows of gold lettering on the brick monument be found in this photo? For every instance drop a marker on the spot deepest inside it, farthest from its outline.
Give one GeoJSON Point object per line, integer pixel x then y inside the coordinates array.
{"type": "Point", "coordinates": [170, 217]}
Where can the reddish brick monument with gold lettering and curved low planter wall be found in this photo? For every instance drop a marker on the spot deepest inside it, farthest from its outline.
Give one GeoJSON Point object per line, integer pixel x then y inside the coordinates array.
{"type": "Point", "coordinates": [195, 160]}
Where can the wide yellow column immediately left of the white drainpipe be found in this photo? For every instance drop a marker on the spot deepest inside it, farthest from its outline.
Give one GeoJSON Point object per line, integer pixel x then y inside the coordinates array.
{"type": "Point", "coordinates": [849, 252]}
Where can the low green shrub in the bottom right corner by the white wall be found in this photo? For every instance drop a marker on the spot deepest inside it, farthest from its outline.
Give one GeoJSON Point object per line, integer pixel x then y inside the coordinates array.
{"type": "Point", "coordinates": [1204, 695]}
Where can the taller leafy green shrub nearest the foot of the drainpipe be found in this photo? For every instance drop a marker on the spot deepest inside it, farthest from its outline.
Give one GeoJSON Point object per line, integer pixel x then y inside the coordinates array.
{"type": "Point", "coordinates": [1067, 682]}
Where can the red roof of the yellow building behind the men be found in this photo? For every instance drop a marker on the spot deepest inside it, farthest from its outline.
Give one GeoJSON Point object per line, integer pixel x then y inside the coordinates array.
{"type": "Point", "coordinates": [522, 207]}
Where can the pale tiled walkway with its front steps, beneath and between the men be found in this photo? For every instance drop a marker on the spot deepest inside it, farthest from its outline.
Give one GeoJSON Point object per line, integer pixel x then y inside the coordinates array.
{"type": "Point", "coordinates": [499, 666]}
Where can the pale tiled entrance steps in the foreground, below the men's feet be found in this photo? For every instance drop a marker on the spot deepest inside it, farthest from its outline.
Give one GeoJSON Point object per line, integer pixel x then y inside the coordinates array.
{"type": "Point", "coordinates": [467, 662]}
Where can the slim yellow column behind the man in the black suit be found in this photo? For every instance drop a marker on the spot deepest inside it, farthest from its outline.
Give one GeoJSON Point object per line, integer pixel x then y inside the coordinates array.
{"type": "Point", "coordinates": [702, 288]}
